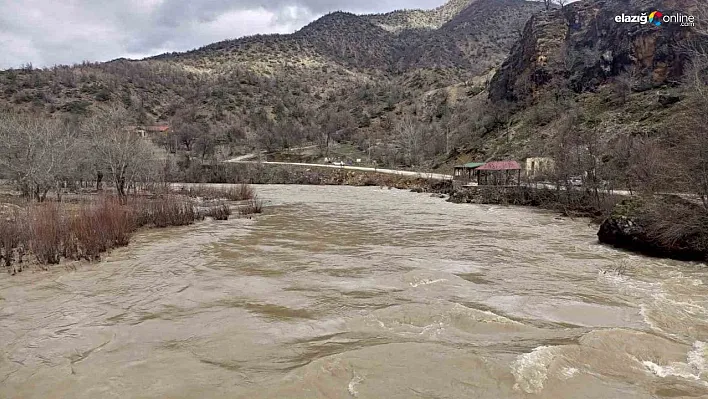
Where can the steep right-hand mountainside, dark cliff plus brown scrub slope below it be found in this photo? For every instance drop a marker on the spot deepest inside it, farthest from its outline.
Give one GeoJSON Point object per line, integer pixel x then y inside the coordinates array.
{"type": "Point", "coordinates": [576, 78]}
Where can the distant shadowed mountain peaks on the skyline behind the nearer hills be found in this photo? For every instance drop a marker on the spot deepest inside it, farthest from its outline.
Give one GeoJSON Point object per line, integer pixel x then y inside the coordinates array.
{"type": "Point", "coordinates": [467, 34]}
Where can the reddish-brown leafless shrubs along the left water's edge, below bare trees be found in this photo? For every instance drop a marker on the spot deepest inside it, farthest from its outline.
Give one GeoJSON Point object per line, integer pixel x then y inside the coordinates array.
{"type": "Point", "coordinates": [47, 233]}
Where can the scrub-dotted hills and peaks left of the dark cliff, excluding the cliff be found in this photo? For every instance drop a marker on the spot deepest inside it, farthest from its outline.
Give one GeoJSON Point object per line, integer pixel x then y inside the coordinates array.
{"type": "Point", "coordinates": [357, 75]}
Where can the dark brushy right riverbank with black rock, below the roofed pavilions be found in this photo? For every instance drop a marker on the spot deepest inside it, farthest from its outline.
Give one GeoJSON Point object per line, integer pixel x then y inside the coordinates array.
{"type": "Point", "coordinates": [659, 226]}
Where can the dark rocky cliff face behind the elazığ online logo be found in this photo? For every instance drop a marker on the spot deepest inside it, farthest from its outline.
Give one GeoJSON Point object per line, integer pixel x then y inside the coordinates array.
{"type": "Point", "coordinates": [582, 47]}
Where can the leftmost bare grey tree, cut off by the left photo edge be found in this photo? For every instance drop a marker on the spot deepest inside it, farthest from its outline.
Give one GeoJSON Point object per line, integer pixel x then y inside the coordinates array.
{"type": "Point", "coordinates": [36, 152]}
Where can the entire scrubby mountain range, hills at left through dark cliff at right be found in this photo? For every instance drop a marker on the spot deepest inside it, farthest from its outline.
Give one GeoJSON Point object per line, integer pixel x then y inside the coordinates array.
{"type": "Point", "coordinates": [470, 80]}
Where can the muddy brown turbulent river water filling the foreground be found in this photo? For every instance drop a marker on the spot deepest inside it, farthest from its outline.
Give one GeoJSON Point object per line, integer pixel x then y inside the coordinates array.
{"type": "Point", "coordinates": [343, 292]}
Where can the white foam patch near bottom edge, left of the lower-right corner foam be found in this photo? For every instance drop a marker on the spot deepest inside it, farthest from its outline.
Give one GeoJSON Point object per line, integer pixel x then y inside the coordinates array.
{"type": "Point", "coordinates": [531, 369]}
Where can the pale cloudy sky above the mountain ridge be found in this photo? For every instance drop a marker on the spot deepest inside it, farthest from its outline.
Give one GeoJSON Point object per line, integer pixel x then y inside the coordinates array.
{"type": "Point", "coordinates": [49, 32]}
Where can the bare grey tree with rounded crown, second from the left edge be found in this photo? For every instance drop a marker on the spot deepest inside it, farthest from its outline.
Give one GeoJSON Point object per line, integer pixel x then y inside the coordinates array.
{"type": "Point", "coordinates": [122, 154]}
